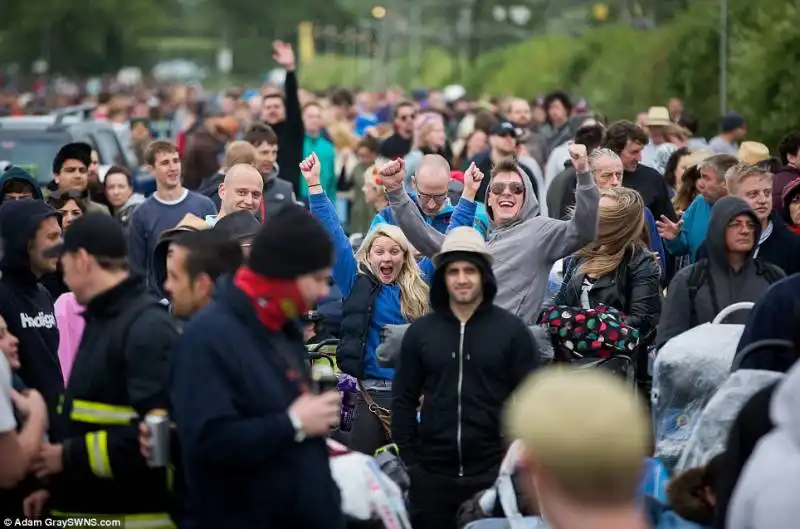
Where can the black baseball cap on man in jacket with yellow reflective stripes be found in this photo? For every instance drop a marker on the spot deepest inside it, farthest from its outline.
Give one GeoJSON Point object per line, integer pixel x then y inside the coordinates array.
{"type": "Point", "coordinates": [98, 233]}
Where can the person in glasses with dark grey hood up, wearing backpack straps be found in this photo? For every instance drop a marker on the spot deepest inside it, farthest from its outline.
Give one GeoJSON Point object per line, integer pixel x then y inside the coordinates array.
{"type": "Point", "coordinates": [729, 275]}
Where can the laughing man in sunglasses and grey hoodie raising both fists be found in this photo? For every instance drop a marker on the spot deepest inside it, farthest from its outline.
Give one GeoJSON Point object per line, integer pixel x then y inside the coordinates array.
{"type": "Point", "coordinates": [523, 244]}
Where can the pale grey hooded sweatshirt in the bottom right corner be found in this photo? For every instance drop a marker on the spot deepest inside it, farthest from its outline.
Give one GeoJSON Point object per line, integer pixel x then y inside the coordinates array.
{"type": "Point", "coordinates": [766, 495]}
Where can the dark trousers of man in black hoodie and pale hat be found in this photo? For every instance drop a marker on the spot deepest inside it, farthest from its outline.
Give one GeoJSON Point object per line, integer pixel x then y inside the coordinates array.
{"type": "Point", "coordinates": [435, 499]}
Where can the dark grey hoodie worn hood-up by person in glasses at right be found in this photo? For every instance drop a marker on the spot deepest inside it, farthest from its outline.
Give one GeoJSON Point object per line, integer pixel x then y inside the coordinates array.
{"type": "Point", "coordinates": [722, 286]}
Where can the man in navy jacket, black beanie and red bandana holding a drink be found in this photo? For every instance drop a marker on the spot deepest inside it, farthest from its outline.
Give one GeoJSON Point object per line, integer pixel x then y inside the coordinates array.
{"type": "Point", "coordinates": [251, 430]}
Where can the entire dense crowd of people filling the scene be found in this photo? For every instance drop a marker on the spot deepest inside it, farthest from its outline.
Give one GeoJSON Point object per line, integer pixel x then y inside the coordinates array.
{"type": "Point", "coordinates": [497, 279]}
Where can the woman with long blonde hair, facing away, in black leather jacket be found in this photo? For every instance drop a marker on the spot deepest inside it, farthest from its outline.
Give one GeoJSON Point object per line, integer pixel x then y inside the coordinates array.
{"type": "Point", "coordinates": [618, 269]}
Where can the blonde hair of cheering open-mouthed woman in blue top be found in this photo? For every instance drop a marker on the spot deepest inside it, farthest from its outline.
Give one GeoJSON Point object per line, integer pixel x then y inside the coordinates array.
{"type": "Point", "coordinates": [414, 292]}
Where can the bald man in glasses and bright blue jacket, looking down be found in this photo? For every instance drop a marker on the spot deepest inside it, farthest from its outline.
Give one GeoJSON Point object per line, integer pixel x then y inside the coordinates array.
{"type": "Point", "coordinates": [431, 183]}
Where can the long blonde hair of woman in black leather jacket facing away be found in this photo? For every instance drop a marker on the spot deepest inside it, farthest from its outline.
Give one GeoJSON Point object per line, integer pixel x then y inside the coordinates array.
{"type": "Point", "coordinates": [621, 229]}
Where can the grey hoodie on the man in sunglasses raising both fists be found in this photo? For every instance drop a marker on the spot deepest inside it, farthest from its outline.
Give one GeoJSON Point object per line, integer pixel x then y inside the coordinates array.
{"type": "Point", "coordinates": [524, 250]}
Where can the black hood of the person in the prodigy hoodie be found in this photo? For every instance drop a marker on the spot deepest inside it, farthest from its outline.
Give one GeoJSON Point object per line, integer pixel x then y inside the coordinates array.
{"type": "Point", "coordinates": [19, 220]}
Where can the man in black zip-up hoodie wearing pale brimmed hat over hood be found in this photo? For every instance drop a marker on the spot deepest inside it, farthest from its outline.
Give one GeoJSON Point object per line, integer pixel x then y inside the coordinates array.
{"type": "Point", "coordinates": [464, 359]}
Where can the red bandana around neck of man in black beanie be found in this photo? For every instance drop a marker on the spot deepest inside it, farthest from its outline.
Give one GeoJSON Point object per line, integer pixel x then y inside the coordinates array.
{"type": "Point", "coordinates": [275, 301]}
